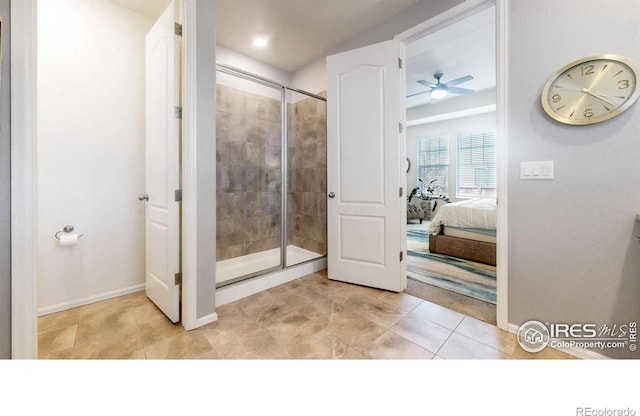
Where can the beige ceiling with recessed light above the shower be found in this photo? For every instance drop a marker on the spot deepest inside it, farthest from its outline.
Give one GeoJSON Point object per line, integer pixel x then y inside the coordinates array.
{"type": "Point", "coordinates": [299, 31]}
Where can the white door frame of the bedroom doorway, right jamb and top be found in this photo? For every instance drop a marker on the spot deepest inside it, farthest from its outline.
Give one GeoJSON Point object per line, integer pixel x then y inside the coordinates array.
{"type": "Point", "coordinates": [455, 14]}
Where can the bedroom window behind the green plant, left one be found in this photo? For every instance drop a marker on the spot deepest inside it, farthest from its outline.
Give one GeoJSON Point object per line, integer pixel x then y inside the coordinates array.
{"type": "Point", "coordinates": [433, 162]}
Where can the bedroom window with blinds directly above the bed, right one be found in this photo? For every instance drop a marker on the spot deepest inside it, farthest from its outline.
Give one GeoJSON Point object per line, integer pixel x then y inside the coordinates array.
{"type": "Point", "coordinates": [476, 167]}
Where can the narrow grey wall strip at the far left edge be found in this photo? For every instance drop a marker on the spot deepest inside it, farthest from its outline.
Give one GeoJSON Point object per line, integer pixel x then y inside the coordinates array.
{"type": "Point", "coordinates": [5, 189]}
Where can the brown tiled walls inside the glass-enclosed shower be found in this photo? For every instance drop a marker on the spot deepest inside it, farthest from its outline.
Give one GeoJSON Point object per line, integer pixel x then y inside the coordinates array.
{"type": "Point", "coordinates": [248, 130]}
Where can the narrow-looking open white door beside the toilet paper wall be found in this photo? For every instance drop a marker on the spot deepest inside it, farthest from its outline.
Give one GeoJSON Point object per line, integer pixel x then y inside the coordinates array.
{"type": "Point", "coordinates": [162, 172]}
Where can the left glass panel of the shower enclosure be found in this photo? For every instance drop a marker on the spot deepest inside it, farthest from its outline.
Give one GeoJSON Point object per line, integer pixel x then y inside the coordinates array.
{"type": "Point", "coordinates": [249, 187]}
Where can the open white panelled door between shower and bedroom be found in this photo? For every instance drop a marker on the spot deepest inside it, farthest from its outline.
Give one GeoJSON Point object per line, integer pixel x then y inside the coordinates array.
{"type": "Point", "coordinates": [365, 156]}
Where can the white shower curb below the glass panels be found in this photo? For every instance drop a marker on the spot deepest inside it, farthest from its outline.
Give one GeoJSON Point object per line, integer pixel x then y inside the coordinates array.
{"type": "Point", "coordinates": [240, 290]}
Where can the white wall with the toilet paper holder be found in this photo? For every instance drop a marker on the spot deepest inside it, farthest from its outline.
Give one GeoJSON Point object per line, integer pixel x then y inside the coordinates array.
{"type": "Point", "coordinates": [90, 149]}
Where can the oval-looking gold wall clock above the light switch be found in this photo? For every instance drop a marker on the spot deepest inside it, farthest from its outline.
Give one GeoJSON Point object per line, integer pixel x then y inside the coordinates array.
{"type": "Point", "coordinates": [591, 90]}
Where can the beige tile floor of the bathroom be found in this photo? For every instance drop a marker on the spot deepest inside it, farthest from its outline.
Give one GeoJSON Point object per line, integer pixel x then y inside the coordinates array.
{"type": "Point", "coordinates": [309, 318]}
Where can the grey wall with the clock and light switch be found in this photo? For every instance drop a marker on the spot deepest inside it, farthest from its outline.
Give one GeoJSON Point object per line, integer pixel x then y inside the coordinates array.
{"type": "Point", "coordinates": [573, 254]}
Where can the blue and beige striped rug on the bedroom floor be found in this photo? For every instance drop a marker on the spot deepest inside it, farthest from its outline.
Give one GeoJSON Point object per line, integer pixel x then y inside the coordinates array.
{"type": "Point", "coordinates": [465, 277]}
